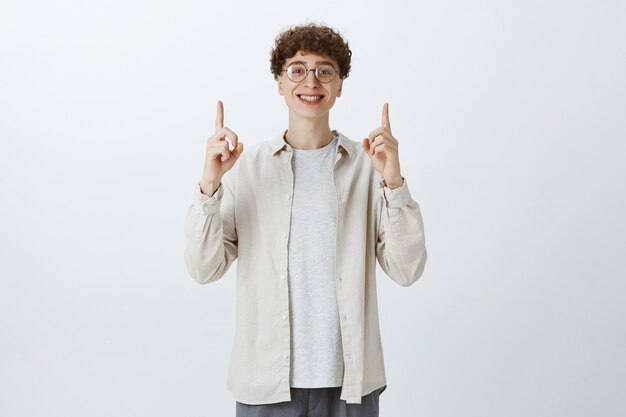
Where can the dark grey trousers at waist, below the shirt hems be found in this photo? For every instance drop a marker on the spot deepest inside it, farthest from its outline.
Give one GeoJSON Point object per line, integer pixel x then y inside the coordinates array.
{"type": "Point", "coordinates": [313, 402]}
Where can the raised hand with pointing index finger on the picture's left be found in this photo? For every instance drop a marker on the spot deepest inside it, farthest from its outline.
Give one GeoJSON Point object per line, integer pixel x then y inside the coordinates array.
{"type": "Point", "coordinates": [219, 157]}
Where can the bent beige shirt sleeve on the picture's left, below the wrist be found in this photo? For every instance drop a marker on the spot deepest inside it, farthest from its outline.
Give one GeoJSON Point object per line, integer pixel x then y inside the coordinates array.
{"type": "Point", "coordinates": [210, 233]}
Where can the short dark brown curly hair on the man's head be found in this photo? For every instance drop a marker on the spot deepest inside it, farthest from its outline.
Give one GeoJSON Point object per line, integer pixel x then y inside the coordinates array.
{"type": "Point", "coordinates": [315, 38]}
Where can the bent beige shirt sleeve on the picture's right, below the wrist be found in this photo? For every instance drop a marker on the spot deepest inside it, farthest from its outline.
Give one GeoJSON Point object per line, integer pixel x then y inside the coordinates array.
{"type": "Point", "coordinates": [401, 247]}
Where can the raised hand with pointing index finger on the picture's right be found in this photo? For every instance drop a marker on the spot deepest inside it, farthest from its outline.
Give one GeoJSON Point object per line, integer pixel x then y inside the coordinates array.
{"type": "Point", "coordinates": [382, 148]}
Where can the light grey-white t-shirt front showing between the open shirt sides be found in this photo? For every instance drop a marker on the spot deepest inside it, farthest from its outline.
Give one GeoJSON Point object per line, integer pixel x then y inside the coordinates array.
{"type": "Point", "coordinates": [316, 351]}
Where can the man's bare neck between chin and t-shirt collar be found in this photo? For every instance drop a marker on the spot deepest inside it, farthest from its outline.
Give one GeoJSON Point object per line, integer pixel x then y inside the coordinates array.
{"type": "Point", "coordinates": [308, 133]}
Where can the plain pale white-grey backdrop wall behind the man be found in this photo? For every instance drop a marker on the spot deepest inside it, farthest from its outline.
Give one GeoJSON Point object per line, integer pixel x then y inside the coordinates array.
{"type": "Point", "coordinates": [511, 119]}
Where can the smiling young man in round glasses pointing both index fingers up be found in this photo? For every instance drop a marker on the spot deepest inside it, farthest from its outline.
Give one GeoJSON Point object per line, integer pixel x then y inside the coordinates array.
{"type": "Point", "coordinates": [306, 214]}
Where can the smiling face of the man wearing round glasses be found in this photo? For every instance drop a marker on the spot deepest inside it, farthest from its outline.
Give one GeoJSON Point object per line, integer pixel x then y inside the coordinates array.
{"type": "Point", "coordinates": [309, 87]}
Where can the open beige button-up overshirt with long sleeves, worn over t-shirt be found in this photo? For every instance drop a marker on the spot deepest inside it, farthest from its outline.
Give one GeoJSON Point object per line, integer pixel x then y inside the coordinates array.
{"type": "Point", "coordinates": [248, 218]}
